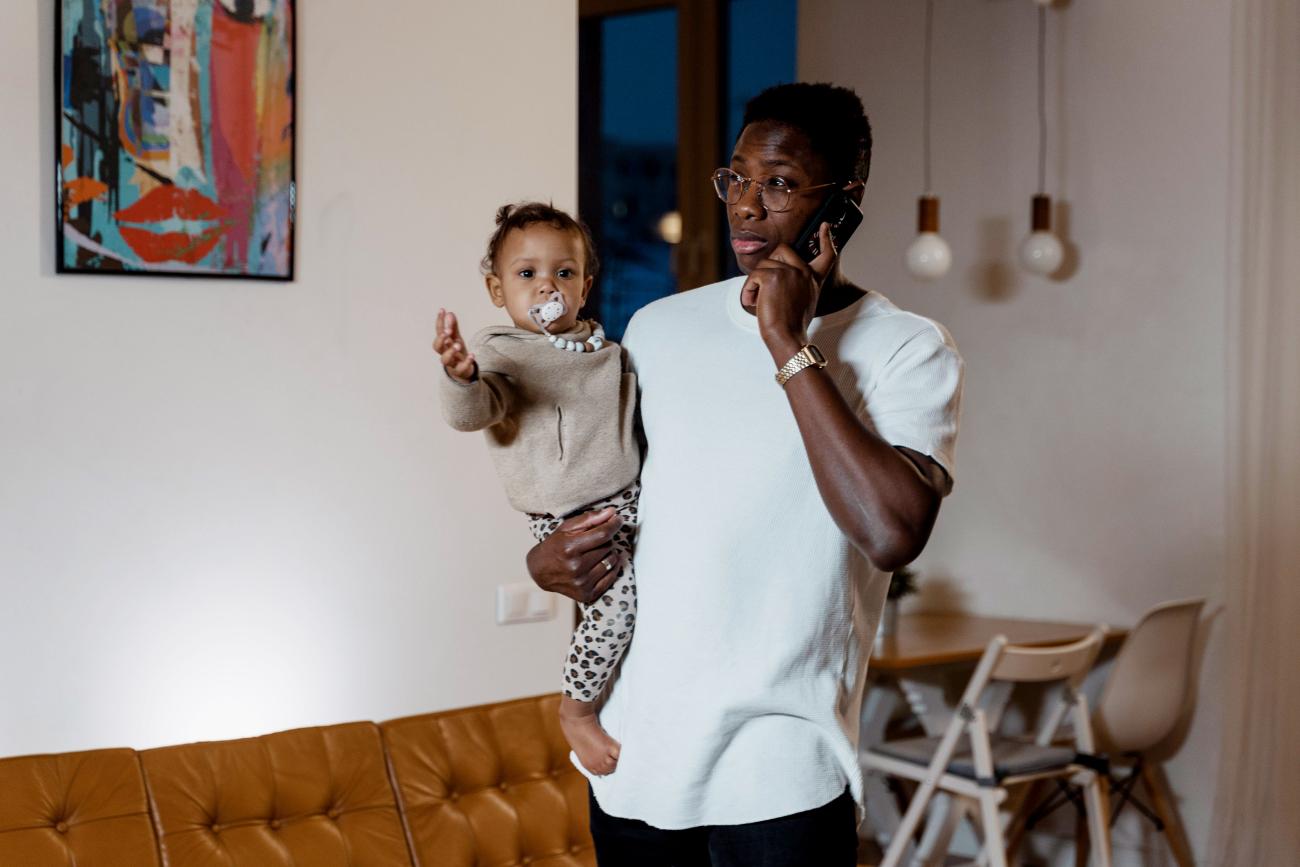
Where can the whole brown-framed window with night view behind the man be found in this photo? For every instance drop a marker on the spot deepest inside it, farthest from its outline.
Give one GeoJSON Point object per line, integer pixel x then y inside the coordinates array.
{"type": "Point", "coordinates": [662, 88]}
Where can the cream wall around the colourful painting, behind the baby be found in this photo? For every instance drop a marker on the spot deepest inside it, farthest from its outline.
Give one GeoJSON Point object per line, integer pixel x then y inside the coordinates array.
{"type": "Point", "coordinates": [232, 508]}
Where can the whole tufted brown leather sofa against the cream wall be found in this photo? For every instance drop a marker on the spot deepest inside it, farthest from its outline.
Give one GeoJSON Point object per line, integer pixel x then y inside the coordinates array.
{"type": "Point", "coordinates": [480, 787]}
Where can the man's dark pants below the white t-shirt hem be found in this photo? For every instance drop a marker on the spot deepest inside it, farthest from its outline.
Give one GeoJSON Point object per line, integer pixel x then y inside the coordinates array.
{"type": "Point", "coordinates": [822, 838]}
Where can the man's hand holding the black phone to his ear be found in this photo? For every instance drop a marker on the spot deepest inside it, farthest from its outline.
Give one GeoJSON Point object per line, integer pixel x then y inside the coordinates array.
{"type": "Point", "coordinates": [785, 291]}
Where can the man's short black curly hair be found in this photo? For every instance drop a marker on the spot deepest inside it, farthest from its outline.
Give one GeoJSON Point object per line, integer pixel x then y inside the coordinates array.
{"type": "Point", "coordinates": [833, 119]}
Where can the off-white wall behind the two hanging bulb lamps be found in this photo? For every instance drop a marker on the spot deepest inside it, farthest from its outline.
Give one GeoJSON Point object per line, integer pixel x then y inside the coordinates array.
{"type": "Point", "coordinates": [1091, 462]}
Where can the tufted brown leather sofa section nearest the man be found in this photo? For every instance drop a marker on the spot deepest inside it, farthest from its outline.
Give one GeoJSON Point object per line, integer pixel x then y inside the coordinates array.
{"type": "Point", "coordinates": [491, 787]}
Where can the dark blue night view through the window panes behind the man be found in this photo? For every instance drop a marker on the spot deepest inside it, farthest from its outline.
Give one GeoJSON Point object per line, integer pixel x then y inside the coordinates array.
{"type": "Point", "coordinates": [635, 183]}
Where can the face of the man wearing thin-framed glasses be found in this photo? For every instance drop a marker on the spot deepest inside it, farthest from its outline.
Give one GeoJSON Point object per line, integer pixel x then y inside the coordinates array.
{"type": "Point", "coordinates": [774, 155]}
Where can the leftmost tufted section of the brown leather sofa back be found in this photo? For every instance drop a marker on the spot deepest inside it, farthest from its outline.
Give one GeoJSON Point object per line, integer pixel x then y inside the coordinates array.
{"type": "Point", "coordinates": [85, 809]}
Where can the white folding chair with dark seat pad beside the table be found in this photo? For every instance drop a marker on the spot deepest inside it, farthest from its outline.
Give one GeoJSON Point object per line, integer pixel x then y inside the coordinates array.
{"type": "Point", "coordinates": [976, 764]}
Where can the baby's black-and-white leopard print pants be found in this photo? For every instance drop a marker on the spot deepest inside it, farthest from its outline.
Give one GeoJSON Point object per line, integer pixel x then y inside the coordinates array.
{"type": "Point", "coordinates": [606, 626]}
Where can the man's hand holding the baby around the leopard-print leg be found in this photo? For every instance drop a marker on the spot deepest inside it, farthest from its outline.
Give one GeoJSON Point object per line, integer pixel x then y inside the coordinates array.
{"type": "Point", "coordinates": [579, 561]}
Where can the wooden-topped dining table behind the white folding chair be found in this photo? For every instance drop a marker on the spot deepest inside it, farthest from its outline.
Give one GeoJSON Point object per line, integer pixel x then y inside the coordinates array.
{"type": "Point", "coordinates": [916, 665]}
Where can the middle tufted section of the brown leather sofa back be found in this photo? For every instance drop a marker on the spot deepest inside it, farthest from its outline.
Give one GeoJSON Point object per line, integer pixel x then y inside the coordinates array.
{"type": "Point", "coordinates": [313, 796]}
